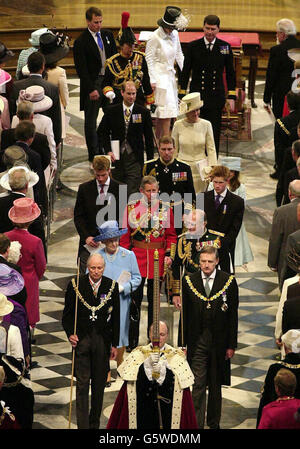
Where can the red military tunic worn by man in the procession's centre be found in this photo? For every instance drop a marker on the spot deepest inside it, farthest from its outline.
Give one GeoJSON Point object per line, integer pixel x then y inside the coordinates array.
{"type": "Point", "coordinates": [150, 227]}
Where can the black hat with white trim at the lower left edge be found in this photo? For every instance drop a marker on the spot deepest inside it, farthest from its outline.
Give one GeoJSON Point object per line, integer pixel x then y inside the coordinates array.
{"type": "Point", "coordinates": [15, 371]}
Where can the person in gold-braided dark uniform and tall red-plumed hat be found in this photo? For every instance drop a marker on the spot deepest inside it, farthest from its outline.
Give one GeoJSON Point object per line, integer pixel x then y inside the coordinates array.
{"type": "Point", "coordinates": [127, 65]}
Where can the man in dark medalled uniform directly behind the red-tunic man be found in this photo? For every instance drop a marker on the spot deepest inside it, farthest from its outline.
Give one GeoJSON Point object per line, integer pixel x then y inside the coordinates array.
{"type": "Point", "coordinates": [172, 176]}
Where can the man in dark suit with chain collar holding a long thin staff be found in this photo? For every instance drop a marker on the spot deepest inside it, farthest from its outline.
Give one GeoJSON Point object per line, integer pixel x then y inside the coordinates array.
{"type": "Point", "coordinates": [96, 337]}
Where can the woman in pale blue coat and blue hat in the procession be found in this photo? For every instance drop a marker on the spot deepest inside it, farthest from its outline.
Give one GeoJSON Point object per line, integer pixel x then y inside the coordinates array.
{"type": "Point", "coordinates": [121, 266]}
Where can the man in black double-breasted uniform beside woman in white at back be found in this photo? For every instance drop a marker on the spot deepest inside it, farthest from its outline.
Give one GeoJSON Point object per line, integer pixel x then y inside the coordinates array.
{"type": "Point", "coordinates": [207, 58]}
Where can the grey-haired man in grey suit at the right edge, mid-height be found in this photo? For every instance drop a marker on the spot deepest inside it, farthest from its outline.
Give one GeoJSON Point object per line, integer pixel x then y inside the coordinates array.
{"type": "Point", "coordinates": [285, 221]}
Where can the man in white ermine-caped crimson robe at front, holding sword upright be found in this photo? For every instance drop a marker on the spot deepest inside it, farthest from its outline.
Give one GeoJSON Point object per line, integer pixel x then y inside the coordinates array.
{"type": "Point", "coordinates": [155, 393]}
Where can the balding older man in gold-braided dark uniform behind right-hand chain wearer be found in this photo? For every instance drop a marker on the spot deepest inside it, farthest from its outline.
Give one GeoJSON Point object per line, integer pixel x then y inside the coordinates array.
{"type": "Point", "coordinates": [188, 249]}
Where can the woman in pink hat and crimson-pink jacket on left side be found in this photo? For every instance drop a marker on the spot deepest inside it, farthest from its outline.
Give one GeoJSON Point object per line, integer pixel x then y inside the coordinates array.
{"type": "Point", "coordinates": [32, 261]}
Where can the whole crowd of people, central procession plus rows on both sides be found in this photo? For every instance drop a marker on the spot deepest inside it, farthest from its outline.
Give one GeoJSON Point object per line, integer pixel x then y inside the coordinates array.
{"type": "Point", "coordinates": [174, 219]}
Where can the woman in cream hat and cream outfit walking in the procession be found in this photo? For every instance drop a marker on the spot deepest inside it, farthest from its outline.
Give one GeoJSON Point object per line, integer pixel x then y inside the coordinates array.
{"type": "Point", "coordinates": [194, 139]}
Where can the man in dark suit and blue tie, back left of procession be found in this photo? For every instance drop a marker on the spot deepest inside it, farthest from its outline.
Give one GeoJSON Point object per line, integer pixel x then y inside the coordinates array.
{"type": "Point", "coordinates": [91, 49]}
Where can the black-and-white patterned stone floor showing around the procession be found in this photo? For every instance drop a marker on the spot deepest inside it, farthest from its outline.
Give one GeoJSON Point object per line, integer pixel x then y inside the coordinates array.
{"type": "Point", "coordinates": [258, 286]}
